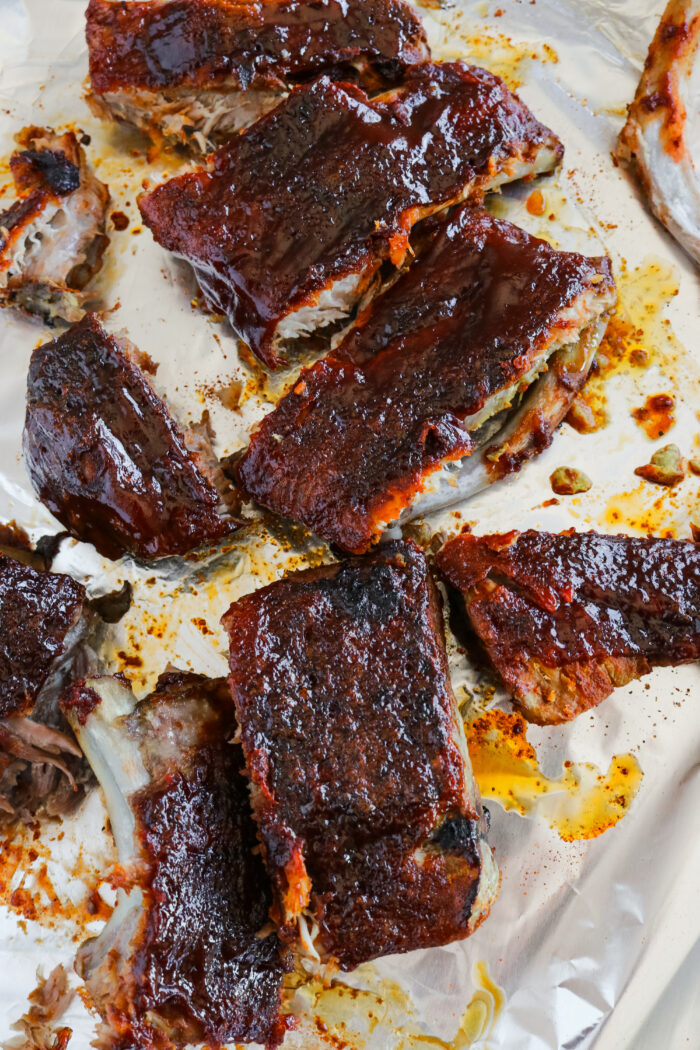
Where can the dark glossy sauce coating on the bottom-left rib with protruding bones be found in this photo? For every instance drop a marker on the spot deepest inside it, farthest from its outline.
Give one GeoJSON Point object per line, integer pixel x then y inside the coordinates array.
{"type": "Point", "coordinates": [210, 896]}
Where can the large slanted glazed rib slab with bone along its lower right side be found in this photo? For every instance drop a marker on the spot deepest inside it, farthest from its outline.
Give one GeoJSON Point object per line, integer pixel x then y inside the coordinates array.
{"type": "Point", "coordinates": [428, 373]}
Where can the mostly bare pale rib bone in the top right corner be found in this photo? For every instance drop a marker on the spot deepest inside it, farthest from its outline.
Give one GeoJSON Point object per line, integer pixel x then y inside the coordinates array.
{"type": "Point", "coordinates": [656, 140]}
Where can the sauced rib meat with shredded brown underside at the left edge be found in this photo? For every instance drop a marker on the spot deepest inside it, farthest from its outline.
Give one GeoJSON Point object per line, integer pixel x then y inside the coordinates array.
{"type": "Point", "coordinates": [43, 632]}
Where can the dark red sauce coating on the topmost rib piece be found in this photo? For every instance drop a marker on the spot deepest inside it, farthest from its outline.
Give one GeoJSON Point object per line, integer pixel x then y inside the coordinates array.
{"type": "Point", "coordinates": [204, 44]}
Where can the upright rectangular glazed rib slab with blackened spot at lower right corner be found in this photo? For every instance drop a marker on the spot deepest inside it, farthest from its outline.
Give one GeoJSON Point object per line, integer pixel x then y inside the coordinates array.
{"type": "Point", "coordinates": [372, 829]}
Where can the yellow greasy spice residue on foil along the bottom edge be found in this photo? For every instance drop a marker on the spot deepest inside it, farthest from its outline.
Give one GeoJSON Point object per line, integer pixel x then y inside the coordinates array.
{"type": "Point", "coordinates": [385, 1017]}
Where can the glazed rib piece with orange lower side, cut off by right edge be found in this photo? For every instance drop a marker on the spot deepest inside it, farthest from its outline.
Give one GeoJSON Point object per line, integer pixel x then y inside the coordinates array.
{"type": "Point", "coordinates": [567, 618]}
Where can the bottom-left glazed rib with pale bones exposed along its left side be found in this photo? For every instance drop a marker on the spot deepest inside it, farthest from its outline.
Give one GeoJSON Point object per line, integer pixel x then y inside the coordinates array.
{"type": "Point", "coordinates": [185, 957]}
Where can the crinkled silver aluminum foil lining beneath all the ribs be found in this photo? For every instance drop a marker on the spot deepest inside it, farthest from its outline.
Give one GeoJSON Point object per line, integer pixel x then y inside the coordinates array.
{"type": "Point", "coordinates": [596, 944]}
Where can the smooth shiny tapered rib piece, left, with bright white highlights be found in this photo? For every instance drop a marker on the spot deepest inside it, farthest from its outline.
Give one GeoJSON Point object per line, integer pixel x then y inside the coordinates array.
{"type": "Point", "coordinates": [107, 457]}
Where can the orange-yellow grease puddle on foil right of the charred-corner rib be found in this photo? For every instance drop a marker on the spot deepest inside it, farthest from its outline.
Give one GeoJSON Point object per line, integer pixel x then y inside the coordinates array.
{"type": "Point", "coordinates": [582, 804]}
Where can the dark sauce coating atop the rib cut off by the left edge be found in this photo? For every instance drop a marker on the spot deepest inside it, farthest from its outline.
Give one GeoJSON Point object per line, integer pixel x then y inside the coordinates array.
{"type": "Point", "coordinates": [37, 613]}
